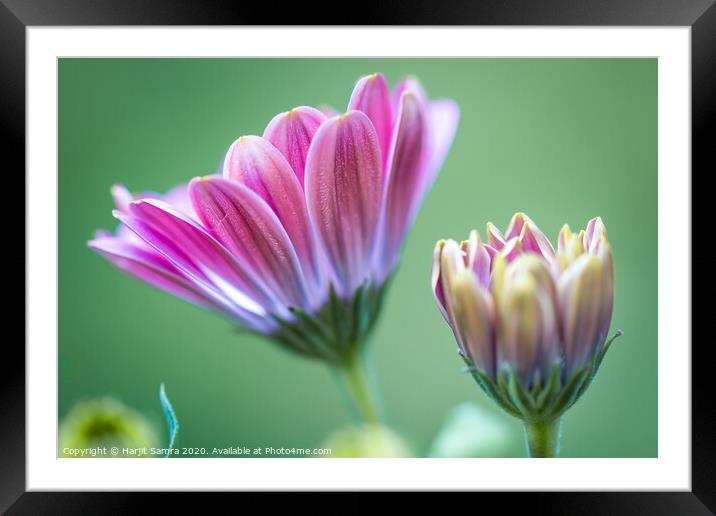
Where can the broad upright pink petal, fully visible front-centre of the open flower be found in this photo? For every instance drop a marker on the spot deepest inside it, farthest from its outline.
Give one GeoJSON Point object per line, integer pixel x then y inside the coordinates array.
{"type": "Point", "coordinates": [344, 187]}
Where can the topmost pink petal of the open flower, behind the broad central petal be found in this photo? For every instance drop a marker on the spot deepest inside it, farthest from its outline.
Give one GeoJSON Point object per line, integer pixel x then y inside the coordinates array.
{"type": "Point", "coordinates": [372, 96]}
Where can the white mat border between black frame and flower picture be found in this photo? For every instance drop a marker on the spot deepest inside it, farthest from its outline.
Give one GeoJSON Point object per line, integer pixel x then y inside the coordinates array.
{"type": "Point", "coordinates": [672, 470]}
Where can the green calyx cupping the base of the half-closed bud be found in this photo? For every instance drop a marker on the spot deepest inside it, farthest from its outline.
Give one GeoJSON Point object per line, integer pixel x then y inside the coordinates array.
{"type": "Point", "coordinates": [542, 401]}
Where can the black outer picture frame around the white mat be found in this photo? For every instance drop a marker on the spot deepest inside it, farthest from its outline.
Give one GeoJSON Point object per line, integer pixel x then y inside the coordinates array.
{"type": "Point", "coordinates": [16, 15]}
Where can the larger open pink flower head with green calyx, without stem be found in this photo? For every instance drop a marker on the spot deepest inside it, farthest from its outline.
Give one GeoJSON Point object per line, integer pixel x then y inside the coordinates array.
{"type": "Point", "coordinates": [309, 217]}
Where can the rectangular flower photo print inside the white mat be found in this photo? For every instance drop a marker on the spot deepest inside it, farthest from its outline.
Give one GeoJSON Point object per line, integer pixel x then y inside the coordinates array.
{"type": "Point", "coordinates": [357, 257]}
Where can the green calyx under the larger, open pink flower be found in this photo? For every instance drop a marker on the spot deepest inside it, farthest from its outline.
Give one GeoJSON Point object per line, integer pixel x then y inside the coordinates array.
{"type": "Point", "coordinates": [337, 329]}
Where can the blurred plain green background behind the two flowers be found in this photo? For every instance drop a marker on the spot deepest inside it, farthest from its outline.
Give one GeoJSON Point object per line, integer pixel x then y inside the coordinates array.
{"type": "Point", "coordinates": [561, 139]}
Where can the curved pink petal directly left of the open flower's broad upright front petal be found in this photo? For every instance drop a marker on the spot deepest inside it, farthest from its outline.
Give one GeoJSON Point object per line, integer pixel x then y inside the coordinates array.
{"type": "Point", "coordinates": [258, 165]}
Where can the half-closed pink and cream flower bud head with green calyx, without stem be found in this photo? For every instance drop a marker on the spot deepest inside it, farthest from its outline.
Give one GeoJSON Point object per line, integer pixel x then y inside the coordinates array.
{"type": "Point", "coordinates": [520, 309]}
